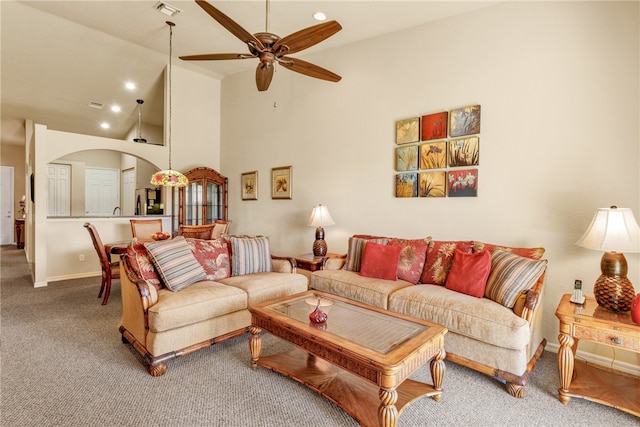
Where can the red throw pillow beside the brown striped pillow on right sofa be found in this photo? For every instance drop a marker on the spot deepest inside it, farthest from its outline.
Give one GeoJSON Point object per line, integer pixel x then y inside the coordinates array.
{"type": "Point", "coordinates": [469, 273]}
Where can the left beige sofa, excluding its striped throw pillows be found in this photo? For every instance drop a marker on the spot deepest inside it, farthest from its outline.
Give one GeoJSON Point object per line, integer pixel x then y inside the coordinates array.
{"type": "Point", "coordinates": [161, 324]}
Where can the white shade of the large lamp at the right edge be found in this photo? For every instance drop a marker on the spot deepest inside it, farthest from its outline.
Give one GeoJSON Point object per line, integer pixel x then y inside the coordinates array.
{"type": "Point", "coordinates": [612, 230]}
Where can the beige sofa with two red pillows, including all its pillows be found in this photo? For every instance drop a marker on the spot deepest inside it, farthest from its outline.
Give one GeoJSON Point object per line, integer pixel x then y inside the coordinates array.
{"type": "Point", "coordinates": [487, 296]}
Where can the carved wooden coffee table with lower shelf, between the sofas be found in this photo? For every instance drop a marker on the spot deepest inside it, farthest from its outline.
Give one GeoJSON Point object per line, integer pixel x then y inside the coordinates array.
{"type": "Point", "coordinates": [360, 358]}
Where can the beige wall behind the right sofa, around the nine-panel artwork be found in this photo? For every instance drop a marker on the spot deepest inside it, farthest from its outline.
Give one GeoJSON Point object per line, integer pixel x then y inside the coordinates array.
{"type": "Point", "coordinates": [558, 83]}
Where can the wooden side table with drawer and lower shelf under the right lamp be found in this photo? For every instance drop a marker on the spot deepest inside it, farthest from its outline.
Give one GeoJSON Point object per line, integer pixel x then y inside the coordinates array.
{"type": "Point", "coordinates": [579, 379]}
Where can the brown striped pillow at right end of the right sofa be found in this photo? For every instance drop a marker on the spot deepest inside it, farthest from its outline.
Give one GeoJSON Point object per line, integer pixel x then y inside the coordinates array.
{"type": "Point", "coordinates": [511, 275]}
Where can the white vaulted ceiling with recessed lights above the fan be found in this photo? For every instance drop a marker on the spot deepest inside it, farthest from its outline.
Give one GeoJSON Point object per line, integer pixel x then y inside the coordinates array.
{"type": "Point", "coordinates": [57, 56]}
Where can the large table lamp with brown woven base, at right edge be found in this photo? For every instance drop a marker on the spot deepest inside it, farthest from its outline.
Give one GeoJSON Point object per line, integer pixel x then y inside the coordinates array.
{"type": "Point", "coordinates": [613, 230]}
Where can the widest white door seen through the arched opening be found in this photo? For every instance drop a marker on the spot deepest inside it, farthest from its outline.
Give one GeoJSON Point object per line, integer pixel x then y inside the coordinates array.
{"type": "Point", "coordinates": [101, 191]}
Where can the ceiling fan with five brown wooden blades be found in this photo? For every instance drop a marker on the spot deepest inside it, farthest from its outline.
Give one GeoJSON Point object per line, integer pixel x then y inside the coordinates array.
{"type": "Point", "coordinates": [270, 48]}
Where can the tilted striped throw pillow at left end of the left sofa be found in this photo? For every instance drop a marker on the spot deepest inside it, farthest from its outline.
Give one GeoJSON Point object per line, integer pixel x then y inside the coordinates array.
{"type": "Point", "coordinates": [176, 264]}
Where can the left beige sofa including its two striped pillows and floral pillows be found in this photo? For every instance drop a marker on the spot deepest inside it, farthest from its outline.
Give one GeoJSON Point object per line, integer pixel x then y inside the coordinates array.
{"type": "Point", "coordinates": [183, 295]}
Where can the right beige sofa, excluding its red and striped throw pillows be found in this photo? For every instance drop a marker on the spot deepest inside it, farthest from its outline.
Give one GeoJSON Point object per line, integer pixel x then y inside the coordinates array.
{"type": "Point", "coordinates": [484, 335]}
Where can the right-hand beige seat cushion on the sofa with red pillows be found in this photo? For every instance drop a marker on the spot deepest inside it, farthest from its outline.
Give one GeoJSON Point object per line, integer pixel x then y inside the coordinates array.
{"type": "Point", "coordinates": [478, 318]}
